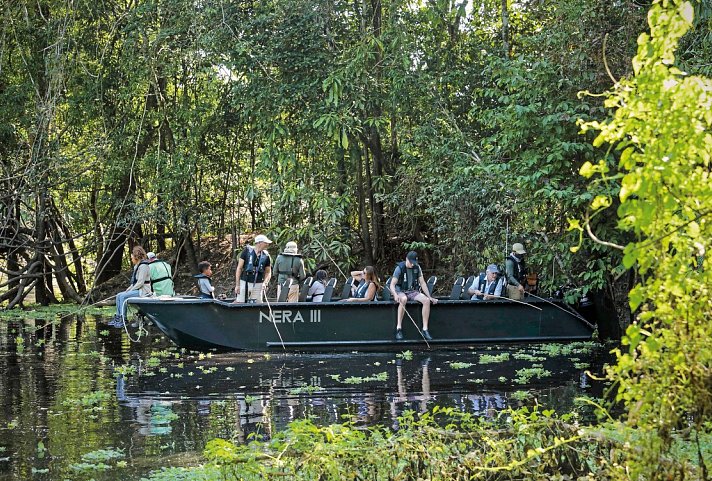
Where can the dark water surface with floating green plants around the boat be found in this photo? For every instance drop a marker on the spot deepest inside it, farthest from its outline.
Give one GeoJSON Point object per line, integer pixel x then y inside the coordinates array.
{"type": "Point", "coordinates": [81, 401]}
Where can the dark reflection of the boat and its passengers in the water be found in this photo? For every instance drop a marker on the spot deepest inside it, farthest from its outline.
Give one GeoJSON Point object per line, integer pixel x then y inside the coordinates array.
{"type": "Point", "coordinates": [261, 394]}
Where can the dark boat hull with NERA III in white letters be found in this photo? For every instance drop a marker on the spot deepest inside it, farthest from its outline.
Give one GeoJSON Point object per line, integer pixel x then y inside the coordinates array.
{"type": "Point", "coordinates": [212, 324]}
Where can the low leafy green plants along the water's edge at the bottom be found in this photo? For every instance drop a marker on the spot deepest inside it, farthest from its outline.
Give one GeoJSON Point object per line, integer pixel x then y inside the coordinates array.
{"type": "Point", "coordinates": [444, 444]}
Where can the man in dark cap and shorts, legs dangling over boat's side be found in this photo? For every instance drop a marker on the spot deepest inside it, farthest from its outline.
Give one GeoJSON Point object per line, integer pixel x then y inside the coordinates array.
{"type": "Point", "coordinates": [404, 287]}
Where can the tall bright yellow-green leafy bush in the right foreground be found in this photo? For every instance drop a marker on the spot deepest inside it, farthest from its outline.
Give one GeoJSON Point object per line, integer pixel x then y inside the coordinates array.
{"type": "Point", "coordinates": [661, 126]}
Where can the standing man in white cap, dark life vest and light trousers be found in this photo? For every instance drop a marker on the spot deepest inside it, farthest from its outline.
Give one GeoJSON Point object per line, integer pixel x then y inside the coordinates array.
{"type": "Point", "coordinates": [253, 271]}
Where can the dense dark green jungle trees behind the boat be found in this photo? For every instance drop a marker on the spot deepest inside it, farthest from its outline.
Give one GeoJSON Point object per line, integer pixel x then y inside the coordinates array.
{"type": "Point", "coordinates": [359, 129]}
